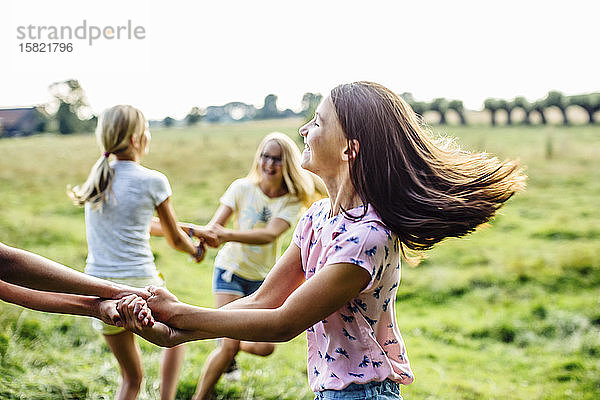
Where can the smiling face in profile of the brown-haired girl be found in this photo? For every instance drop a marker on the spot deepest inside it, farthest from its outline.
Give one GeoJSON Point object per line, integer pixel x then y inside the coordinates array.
{"type": "Point", "coordinates": [324, 142]}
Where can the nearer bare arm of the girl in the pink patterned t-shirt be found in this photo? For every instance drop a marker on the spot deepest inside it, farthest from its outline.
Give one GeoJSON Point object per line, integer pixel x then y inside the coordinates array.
{"type": "Point", "coordinates": [311, 302]}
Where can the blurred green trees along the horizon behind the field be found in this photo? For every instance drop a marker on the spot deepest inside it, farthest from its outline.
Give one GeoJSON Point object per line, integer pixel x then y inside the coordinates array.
{"type": "Point", "coordinates": [70, 112]}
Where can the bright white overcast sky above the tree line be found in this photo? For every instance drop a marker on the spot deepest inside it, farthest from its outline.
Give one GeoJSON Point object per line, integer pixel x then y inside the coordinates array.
{"type": "Point", "coordinates": [201, 53]}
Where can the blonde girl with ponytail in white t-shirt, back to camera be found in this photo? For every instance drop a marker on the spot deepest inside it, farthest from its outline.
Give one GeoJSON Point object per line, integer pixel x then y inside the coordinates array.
{"type": "Point", "coordinates": [120, 197]}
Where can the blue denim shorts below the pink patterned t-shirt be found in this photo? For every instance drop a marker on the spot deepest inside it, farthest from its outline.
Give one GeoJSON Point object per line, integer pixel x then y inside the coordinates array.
{"type": "Point", "coordinates": [386, 390]}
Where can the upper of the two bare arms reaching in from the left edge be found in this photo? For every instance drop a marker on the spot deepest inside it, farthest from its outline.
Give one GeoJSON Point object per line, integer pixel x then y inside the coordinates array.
{"type": "Point", "coordinates": [27, 269]}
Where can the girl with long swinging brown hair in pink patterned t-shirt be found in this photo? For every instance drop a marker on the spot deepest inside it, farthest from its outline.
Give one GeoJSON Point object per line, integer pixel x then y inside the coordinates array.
{"type": "Point", "coordinates": [392, 189]}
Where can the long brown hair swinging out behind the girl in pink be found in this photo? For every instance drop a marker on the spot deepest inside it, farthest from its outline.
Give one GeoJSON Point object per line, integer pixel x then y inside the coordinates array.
{"type": "Point", "coordinates": [423, 189]}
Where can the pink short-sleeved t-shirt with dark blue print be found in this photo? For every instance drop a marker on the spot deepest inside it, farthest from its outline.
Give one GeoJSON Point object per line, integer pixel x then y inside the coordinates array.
{"type": "Point", "coordinates": [360, 342]}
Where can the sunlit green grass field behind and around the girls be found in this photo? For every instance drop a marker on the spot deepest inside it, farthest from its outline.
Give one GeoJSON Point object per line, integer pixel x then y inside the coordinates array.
{"type": "Point", "coordinates": [510, 312]}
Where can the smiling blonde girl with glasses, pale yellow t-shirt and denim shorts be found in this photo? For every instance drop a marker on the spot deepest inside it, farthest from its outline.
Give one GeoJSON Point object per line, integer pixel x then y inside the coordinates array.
{"type": "Point", "coordinates": [264, 205]}
